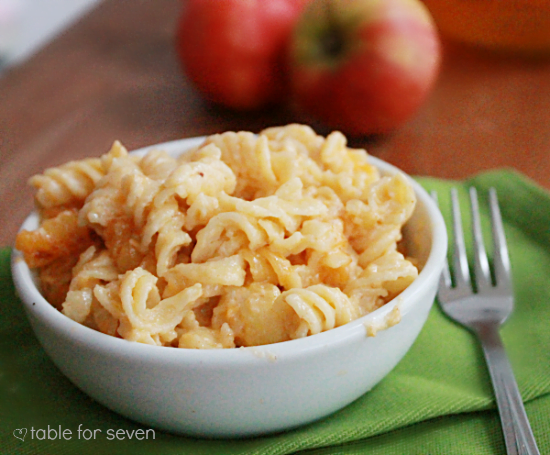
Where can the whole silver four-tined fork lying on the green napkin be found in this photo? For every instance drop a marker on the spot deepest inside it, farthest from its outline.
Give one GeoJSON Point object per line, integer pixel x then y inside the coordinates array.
{"type": "Point", "coordinates": [483, 308]}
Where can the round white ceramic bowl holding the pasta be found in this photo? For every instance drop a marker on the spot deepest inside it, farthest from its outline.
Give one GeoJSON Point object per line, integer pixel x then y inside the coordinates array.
{"type": "Point", "coordinates": [245, 391]}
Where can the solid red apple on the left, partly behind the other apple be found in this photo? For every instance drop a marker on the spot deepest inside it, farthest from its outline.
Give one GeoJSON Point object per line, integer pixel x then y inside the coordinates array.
{"type": "Point", "coordinates": [233, 50]}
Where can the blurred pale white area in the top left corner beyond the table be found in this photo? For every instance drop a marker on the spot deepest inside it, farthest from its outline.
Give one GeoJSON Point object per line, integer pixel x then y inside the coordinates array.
{"type": "Point", "coordinates": [27, 25]}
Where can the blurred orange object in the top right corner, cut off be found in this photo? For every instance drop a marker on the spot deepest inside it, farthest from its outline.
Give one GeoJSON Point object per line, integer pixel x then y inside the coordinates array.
{"type": "Point", "coordinates": [515, 25]}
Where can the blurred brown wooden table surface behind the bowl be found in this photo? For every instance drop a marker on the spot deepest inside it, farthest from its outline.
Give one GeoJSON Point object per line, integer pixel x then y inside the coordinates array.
{"type": "Point", "coordinates": [115, 75]}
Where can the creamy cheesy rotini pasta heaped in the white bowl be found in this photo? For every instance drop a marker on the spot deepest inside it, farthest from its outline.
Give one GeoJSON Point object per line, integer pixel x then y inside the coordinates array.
{"type": "Point", "coordinates": [245, 240]}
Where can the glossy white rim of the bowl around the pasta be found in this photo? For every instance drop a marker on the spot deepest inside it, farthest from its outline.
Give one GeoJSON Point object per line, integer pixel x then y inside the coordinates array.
{"type": "Point", "coordinates": [37, 305]}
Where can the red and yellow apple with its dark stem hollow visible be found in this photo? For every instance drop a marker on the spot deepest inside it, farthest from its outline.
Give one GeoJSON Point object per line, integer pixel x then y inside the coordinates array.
{"type": "Point", "coordinates": [363, 66]}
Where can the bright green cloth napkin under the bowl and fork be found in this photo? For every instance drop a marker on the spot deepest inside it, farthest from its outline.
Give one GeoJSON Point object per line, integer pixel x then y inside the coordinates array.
{"type": "Point", "coordinates": [438, 400]}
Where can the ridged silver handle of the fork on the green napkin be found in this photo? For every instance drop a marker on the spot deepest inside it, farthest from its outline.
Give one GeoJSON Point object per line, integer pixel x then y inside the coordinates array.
{"type": "Point", "coordinates": [518, 435]}
